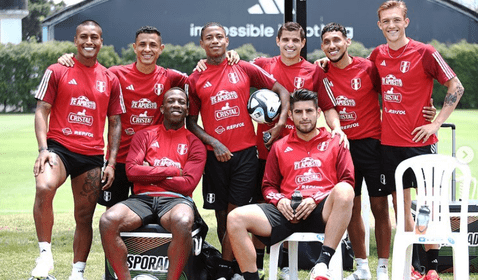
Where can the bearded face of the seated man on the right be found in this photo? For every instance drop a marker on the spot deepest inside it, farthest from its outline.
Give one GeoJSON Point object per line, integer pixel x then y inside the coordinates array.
{"type": "Point", "coordinates": [304, 114]}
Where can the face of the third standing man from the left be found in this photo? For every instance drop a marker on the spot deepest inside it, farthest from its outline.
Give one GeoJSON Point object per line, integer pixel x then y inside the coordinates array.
{"type": "Point", "coordinates": [214, 41]}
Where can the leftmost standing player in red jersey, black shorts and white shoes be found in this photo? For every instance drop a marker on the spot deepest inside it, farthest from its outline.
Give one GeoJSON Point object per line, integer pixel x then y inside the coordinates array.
{"type": "Point", "coordinates": [73, 104]}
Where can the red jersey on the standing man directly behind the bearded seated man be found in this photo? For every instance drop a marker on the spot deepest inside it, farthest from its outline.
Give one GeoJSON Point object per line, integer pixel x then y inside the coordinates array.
{"type": "Point", "coordinates": [300, 75]}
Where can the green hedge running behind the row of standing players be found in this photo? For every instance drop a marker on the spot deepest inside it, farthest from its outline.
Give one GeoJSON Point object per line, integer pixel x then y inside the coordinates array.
{"type": "Point", "coordinates": [22, 66]}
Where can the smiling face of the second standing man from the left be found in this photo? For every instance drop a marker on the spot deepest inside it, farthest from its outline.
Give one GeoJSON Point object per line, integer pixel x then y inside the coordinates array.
{"type": "Point", "coordinates": [147, 48]}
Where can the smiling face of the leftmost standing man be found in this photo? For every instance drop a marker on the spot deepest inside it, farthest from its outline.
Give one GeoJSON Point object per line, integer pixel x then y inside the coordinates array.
{"type": "Point", "coordinates": [88, 41]}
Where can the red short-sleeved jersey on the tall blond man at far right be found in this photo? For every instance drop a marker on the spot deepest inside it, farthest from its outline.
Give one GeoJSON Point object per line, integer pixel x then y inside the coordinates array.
{"type": "Point", "coordinates": [407, 83]}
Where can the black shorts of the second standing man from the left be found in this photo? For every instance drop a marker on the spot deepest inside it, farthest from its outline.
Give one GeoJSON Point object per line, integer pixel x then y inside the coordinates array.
{"type": "Point", "coordinates": [119, 190]}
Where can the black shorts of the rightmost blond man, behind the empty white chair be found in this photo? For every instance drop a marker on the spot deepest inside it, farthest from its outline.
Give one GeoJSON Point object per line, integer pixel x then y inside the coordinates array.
{"type": "Point", "coordinates": [393, 156]}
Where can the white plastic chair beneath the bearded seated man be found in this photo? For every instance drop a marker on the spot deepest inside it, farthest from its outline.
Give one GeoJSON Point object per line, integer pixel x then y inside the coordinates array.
{"type": "Point", "coordinates": [335, 263]}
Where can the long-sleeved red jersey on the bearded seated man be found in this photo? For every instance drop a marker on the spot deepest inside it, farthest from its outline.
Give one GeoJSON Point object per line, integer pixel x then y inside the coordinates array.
{"type": "Point", "coordinates": [313, 167]}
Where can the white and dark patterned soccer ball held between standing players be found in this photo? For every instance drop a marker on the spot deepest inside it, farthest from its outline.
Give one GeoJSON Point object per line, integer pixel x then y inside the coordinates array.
{"type": "Point", "coordinates": [264, 106]}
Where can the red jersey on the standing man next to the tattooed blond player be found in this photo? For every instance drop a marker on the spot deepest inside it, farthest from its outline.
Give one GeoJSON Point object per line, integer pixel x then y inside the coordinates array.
{"type": "Point", "coordinates": [356, 89]}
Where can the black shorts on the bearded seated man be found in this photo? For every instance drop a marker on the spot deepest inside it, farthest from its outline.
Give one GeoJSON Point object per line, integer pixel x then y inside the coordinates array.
{"type": "Point", "coordinates": [282, 228]}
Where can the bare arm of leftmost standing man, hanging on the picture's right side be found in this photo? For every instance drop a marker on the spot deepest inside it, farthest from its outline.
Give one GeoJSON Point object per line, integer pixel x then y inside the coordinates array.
{"type": "Point", "coordinates": [114, 135]}
